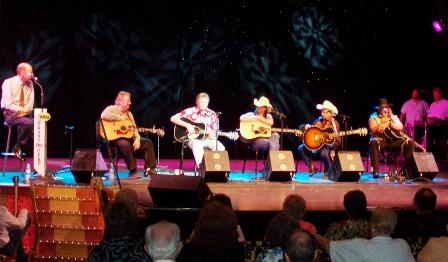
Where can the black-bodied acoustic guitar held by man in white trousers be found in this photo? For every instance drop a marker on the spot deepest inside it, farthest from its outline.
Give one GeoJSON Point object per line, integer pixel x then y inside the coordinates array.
{"type": "Point", "coordinates": [200, 132]}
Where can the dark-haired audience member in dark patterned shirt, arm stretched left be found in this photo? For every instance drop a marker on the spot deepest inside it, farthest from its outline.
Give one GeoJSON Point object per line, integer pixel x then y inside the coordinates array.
{"type": "Point", "coordinates": [357, 225]}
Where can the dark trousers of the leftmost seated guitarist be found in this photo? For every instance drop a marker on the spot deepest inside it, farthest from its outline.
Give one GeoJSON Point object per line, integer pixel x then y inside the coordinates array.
{"type": "Point", "coordinates": [126, 150]}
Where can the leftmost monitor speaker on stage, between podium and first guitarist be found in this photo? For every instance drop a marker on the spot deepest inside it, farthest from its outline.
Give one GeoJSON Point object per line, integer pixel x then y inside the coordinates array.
{"type": "Point", "coordinates": [87, 162]}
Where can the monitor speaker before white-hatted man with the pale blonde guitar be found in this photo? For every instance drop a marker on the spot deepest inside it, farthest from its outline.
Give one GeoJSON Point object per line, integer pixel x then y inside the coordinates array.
{"type": "Point", "coordinates": [280, 166]}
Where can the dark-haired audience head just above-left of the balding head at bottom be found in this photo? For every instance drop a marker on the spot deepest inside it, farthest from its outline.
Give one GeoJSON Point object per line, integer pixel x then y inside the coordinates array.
{"type": "Point", "coordinates": [279, 228]}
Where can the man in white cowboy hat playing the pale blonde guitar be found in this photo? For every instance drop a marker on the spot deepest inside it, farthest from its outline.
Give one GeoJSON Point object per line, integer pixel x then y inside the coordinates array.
{"type": "Point", "coordinates": [261, 114]}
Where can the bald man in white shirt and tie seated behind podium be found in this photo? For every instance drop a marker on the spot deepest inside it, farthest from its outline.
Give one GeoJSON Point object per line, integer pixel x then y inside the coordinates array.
{"type": "Point", "coordinates": [18, 102]}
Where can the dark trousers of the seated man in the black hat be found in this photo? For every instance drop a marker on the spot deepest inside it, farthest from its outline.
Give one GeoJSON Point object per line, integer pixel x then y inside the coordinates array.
{"type": "Point", "coordinates": [376, 145]}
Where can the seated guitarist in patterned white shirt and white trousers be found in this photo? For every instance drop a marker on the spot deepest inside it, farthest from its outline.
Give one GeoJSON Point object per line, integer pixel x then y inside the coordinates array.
{"type": "Point", "coordinates": [200, 114]}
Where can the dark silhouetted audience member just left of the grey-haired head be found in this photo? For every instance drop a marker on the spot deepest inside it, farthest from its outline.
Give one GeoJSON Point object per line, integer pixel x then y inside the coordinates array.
{"type": "Point", "coordinates": [120, 243]}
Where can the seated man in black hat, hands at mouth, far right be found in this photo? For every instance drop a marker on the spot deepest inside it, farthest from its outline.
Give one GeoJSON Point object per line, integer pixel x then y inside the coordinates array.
{"type": "Point", "coordinates": [385, 130]}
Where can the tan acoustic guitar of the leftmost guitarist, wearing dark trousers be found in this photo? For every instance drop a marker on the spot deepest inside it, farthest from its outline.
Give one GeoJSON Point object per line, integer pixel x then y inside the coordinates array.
{"type": "Point", "coordinates": [125, 129]}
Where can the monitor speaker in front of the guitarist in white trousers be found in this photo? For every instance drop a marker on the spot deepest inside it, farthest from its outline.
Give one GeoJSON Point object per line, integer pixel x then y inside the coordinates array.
{"type": "Point", "coordinates": [217, 166]}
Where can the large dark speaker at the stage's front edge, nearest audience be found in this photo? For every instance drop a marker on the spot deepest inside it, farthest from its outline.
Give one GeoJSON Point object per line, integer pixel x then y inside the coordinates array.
{"type": "Point", "coordinates": [178, 191]}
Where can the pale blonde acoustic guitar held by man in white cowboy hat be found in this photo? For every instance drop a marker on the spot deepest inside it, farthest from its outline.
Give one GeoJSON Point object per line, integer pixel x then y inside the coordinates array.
{"type": "Point", "coordinates": [250, 130]}
